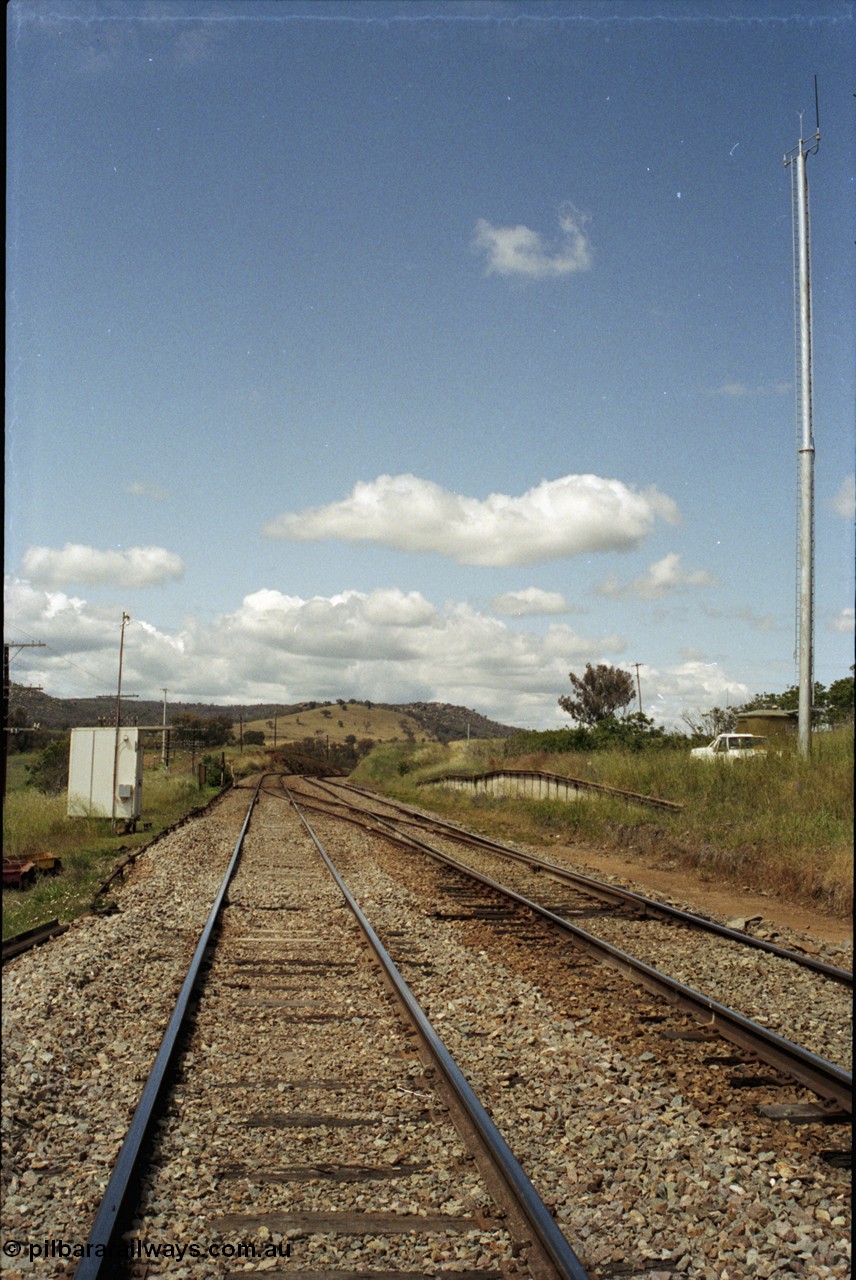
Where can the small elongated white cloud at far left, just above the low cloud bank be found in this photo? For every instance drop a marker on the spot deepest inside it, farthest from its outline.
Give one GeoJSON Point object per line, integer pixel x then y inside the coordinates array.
{"type": "Point", "coordinates": [136, 566]}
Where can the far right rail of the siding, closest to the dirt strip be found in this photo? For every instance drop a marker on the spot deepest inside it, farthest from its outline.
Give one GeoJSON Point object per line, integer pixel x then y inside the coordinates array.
{"type": "Point", "coordinates": [610, 893]}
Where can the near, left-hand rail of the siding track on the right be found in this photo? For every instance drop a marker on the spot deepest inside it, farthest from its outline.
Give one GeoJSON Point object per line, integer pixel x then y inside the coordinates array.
{"type": "Point", "coordinates": [816, 1073]}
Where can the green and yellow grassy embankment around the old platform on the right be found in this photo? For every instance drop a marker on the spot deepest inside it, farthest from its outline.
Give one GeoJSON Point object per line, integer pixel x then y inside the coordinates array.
{"type": "Point", "coordinates": [776, 824]}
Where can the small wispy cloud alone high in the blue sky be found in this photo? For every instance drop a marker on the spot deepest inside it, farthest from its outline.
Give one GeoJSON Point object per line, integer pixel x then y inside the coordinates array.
{"type": "Point", "coordinates": [521, 252]}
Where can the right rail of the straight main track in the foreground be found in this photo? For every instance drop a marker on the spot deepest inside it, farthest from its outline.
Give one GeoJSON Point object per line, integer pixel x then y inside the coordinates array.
{"type": "Point", "coordinates": [544, 1229]}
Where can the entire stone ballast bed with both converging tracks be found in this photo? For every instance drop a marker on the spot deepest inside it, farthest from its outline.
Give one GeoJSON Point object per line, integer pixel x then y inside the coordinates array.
{"type": "Point", "coordinates": [401, 1050]}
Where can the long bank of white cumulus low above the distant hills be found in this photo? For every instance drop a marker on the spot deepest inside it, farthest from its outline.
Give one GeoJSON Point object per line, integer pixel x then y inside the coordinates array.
{"type": "Point", "coordinates": [387, 646]}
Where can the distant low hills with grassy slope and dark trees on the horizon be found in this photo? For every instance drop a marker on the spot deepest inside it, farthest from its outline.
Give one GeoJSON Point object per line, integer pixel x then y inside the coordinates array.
{"type": "Point", "coordinates": [291, 721]}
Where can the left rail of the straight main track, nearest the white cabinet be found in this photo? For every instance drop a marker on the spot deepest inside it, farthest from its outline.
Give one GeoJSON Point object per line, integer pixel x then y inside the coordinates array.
{"type": "Point", "coordinates": [102, 1249]}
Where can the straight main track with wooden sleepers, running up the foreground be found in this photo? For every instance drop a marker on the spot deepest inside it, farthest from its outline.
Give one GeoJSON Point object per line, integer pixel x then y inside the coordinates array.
{"type": "Point", "coordinates": [308, 1048]}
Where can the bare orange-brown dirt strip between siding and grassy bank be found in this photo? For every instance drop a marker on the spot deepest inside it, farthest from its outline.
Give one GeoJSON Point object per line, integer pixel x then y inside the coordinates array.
{"type": "Point", "coordinates": [662, 879]}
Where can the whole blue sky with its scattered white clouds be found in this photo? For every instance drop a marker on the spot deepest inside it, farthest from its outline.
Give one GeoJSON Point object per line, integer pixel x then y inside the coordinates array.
{"type": "Point", "coordinates": [423, 351]}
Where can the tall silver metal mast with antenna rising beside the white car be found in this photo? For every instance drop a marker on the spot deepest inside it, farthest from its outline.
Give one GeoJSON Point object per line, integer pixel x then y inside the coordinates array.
{"type": "Point", "coordinates": [797, 161]}
